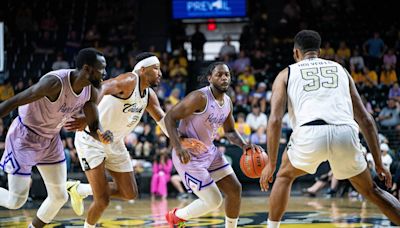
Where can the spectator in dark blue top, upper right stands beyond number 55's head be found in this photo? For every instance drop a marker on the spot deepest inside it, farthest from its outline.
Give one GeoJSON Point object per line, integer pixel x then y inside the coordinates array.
{"type": "Point", "coordinates": [374, 49]}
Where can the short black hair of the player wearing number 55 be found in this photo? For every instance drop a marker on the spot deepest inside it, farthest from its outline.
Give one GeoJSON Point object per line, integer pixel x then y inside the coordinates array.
{"type": "Point", "coordinates": [307, 40]}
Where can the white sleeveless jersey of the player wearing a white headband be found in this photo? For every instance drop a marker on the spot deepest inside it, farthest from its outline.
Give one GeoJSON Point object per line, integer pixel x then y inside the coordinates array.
{"type": "Point", "coordinates": [121, 116]}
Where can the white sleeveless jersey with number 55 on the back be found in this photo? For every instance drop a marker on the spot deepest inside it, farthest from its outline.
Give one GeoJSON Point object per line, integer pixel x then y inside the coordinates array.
{"type": "Point", "coordinates": [319, 89]}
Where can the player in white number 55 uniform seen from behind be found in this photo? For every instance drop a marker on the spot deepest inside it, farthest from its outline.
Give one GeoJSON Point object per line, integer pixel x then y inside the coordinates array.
{"type": "Point", "coordinates": [326, 113]}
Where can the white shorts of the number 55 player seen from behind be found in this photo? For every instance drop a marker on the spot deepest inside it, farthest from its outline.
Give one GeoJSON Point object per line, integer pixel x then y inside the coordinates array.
{"type": "Point", "coordinates": [309, 146]}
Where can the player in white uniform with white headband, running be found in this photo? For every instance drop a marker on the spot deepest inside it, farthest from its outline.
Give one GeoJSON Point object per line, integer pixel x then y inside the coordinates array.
{"type": "Point", "coordinates": [124, 100]}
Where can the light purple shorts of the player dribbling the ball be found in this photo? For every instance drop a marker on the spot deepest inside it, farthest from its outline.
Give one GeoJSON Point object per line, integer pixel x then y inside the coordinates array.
{"type": "Point", "coordinates": [203, 170]}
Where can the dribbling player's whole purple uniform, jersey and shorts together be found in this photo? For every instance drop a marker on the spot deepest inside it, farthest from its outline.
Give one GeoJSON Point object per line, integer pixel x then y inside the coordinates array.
{"type": "Point", "coordinates": [202, 170]}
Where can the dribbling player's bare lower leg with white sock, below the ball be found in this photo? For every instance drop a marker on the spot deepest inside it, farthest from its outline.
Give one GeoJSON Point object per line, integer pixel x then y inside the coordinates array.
{"type": "Point", "coordinates": [232, 190]}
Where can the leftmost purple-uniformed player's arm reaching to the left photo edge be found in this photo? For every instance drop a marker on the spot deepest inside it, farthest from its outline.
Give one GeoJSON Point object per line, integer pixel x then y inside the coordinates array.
{"type": "Point", "coordinates": [49, 86]}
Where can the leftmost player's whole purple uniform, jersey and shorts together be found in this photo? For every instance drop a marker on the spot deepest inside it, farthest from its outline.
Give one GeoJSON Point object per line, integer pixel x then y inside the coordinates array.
{"type": "Point", "coordinates": [34, 136]}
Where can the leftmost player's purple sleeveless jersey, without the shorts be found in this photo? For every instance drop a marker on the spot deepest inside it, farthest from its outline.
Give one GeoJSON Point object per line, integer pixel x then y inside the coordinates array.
{"type": "Point", "coordinates": [46, 118]}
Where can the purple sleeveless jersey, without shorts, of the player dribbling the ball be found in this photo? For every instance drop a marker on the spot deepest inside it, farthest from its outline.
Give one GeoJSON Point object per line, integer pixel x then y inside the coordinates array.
{"type": "Point", "coordinates": [204, 125]}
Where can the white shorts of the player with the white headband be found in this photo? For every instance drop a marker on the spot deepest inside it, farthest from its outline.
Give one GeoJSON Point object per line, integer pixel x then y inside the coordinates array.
{"type": "Point", "coordinates": [92, 153]}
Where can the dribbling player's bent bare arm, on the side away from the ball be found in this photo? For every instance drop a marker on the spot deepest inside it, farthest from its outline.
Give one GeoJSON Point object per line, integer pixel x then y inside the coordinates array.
{"type": "Point", "coordinates": [194, 102]}
